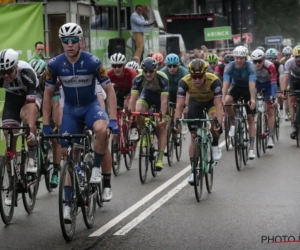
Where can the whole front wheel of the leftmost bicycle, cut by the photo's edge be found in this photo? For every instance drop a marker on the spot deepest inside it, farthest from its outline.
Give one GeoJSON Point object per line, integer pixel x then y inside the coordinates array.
{"type": "Point", "coordinates": [8, 187]}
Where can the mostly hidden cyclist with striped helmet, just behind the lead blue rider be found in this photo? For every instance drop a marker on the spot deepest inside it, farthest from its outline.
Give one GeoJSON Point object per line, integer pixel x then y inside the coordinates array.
{"type": "Point", "coordinates": [39, 66]}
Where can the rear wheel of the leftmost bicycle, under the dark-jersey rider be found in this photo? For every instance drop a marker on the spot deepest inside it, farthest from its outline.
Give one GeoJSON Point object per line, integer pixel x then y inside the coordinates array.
{"type": "Point", "coordinates": [31, 184]}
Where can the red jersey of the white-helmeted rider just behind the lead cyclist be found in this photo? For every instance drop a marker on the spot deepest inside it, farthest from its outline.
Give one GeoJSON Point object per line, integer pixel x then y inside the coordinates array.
{"type": "Point", "coordinates": [124, 82]}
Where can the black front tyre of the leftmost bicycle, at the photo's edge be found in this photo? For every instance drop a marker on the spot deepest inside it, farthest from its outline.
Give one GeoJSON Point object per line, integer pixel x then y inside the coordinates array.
{"type": "Point", "coordinates": [7, 218]}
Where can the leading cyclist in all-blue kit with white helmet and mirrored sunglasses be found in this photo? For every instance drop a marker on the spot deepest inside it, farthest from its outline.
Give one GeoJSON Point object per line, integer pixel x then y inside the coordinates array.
{"type": "Point", "coordinates": [77, 71]}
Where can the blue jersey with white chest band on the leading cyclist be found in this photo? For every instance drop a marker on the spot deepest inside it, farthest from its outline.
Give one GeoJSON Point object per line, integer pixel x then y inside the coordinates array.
{"type": "Point", "coordinates": [79, 79]}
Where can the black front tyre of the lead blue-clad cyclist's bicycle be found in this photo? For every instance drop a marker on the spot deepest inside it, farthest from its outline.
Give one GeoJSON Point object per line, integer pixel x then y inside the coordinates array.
{"type": "Point", "coordinates": [67, 234]}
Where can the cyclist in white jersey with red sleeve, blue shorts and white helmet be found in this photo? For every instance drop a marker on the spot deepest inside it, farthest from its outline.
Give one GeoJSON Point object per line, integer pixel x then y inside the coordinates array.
{"type": "Point", "coordinates": [266, 78]}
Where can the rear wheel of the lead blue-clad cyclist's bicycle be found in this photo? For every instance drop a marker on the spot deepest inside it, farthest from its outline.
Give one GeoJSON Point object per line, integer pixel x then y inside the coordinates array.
{"type": "Point", "coordinates": [88, 207]}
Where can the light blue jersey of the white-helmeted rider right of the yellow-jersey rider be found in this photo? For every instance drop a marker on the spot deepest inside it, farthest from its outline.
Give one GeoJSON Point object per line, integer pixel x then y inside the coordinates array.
{"type": "Point", "coordinates": [240, 77]}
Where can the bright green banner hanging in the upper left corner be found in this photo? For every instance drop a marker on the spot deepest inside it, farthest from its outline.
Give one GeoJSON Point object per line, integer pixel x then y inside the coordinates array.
{"type": "Point", "coordinates": [21, 27]}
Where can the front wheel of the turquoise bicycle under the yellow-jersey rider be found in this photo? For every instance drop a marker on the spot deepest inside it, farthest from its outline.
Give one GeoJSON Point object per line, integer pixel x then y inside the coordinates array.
{"type": "Point", "coordinates": [197, 170]}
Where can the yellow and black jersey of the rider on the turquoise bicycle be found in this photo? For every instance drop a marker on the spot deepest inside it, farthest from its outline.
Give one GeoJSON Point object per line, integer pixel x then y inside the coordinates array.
{"type": "Point", "coordinates": [212, 88]}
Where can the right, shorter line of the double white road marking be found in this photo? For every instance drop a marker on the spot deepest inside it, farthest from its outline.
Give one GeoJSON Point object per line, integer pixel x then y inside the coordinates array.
{"type": "Point", "coordinates": [124, 230]}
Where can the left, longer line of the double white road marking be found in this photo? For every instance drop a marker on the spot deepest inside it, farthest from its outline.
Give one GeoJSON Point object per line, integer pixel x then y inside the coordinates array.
{"type": "Point", "coordinates": [141, 202]}
